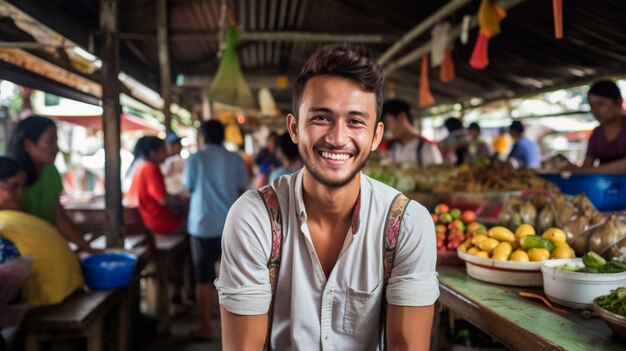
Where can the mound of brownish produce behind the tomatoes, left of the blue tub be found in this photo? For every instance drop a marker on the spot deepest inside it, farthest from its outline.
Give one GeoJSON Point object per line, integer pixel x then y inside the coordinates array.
{"type": "Point", "coordinates": [495, 177]}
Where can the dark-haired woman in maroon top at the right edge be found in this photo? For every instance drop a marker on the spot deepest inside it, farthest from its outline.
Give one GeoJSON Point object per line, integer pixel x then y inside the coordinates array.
{"type": "Point", "coordinates": [606, 151]}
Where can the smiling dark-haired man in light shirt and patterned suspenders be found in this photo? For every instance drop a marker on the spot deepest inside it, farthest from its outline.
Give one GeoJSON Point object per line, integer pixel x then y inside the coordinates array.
{"type": "Point", "coordinates": [356, 267]}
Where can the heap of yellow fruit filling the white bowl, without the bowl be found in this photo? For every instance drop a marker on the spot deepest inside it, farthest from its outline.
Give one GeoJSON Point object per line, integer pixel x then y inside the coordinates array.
{"type": "Point", "coordinates": [499, 243]}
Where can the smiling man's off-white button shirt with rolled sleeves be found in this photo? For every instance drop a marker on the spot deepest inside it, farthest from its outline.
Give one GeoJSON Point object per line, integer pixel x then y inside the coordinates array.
{"type": "Point", "coordinates": [311, 311]}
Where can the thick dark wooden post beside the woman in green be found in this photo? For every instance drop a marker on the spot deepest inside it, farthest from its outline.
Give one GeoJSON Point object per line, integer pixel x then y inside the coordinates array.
{"type": "Point", "coordinates": [110, 53]}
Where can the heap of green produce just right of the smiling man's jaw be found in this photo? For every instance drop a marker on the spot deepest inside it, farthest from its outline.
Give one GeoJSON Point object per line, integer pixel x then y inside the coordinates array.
{"type": "Point", "coordinates": [408, 177]}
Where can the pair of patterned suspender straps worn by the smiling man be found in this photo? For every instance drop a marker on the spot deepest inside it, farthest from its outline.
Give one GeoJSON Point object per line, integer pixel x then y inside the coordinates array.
{"type": "Point", "coordinates": [392, 229]}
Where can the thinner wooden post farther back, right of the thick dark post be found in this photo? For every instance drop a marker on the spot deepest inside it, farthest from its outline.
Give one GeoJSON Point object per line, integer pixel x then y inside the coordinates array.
{"type": "Point", "coordinates": [164, 62]}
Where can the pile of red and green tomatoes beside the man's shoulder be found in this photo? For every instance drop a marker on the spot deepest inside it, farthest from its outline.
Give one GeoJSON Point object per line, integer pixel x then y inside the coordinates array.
{"type": "Point", "coordinates": [452, 226]}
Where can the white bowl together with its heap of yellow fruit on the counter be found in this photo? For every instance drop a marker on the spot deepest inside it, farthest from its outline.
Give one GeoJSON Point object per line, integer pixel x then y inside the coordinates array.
{"type": "Point", "coordinates": [503, 257]}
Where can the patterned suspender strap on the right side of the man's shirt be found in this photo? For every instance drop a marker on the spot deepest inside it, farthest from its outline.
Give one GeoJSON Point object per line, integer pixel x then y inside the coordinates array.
{"type": "Point", "coordinates": [390, 241]}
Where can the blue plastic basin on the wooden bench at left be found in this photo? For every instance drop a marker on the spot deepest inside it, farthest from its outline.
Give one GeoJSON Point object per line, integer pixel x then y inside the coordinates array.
{"type": "Point", "coordinates": [109, 270]}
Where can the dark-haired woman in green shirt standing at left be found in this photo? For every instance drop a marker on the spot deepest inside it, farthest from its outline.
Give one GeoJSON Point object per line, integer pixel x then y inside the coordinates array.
{"type": "Point", "coordinates": [33, 145]}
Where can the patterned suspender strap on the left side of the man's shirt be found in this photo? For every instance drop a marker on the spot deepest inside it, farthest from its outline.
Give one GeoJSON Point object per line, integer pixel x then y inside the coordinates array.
{"type": "Point", "coordinates": [273, 209]}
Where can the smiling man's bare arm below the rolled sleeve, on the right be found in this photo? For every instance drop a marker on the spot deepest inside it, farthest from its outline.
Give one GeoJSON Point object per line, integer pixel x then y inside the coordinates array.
{"type": "Point", "coordinates": [409, 328]}
